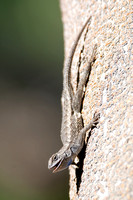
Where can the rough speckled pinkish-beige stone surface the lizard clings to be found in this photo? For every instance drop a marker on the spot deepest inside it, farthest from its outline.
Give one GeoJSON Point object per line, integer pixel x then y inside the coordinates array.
{"type": "Point", "coordinates": [108, 163]}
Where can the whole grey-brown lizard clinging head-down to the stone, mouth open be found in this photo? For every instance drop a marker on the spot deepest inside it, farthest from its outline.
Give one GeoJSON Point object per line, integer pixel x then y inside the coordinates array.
{"type": "Point", "coordinates": [72, 130]}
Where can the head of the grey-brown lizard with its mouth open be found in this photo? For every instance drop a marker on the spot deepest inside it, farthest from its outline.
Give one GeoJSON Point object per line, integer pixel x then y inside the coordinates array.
{"type": "Point", "coordinates": [60, 160]}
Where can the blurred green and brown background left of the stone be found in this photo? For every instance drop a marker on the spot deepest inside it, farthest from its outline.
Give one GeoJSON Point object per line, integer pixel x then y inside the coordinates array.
{"type": "Point", "coordinates": [31, 59]}
